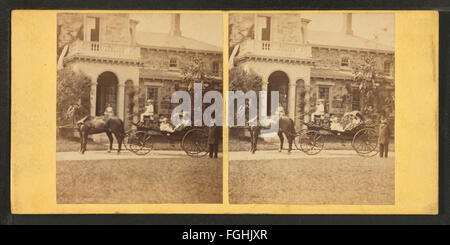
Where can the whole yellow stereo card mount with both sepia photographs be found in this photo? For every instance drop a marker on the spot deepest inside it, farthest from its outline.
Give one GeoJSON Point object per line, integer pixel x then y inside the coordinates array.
{"type": "Point", "coordinates": [224, 112]}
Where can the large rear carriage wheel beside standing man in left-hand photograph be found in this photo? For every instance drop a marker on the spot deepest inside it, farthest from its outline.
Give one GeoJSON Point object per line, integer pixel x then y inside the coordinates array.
{"type": "Point", "coordinates": [195, 143]}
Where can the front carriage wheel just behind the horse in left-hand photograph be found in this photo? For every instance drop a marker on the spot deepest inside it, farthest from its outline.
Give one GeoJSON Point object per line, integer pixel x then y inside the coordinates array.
{"type": "Point", "coordinates": [138, 142]}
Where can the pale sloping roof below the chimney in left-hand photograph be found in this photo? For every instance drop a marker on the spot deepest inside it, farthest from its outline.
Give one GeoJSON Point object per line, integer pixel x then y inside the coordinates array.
{"type": "Point", "coordinates": [165, 40]}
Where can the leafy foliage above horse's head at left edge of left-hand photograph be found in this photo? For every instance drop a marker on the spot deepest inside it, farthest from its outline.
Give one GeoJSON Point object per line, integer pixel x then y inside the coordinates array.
{"type": "Point", "coordinates": [73, 96]}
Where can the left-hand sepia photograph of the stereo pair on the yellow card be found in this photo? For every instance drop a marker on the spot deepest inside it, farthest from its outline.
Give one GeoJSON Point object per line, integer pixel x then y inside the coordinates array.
{"type": "Point", "coordinates": [127, 131]}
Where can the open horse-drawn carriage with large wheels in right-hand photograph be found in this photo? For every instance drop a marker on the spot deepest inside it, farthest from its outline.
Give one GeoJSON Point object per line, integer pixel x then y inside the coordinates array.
{"type": "Point", "coordinates": [363, 137]}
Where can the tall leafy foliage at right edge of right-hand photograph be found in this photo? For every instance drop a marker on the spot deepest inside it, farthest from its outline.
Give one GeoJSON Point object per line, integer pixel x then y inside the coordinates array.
{"type": "Point", "coordinates": [376, 93]}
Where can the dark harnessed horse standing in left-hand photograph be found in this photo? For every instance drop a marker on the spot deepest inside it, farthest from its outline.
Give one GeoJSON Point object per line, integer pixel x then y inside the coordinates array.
{"type": "Point", "coordinates": [96, 125]}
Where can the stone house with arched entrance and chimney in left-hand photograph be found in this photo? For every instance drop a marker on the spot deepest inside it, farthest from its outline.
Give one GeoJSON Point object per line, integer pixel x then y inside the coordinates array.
{"type": "Point", "coordinates": [127, 67]}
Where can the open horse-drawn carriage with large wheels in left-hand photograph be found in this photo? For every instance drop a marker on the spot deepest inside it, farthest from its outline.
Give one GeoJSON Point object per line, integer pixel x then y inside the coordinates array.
{"type": "Point", "coordinates": [140, 141]}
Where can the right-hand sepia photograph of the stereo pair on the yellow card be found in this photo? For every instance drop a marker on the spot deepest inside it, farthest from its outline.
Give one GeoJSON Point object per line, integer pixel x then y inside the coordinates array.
{"type": "Point", "coordinates": [312, 116]}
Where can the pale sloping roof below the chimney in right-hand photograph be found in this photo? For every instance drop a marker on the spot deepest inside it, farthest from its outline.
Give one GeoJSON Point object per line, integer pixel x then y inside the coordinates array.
{"type": "Point", "coordinates": [339, 39]}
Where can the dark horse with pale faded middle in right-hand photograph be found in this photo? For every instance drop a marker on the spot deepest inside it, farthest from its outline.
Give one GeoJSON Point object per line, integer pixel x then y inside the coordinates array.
{"type": "Point", "coordinates": [286, 127]}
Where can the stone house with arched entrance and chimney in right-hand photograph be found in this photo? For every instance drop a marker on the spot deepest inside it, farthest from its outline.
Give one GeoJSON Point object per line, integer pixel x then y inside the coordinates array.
{"type": "Point", "coordinates": [302, 64]}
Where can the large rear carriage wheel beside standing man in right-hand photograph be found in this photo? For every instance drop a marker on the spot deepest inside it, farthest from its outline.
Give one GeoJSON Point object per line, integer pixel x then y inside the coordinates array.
{"type": "Point", "coordinates": [365, 142]}
